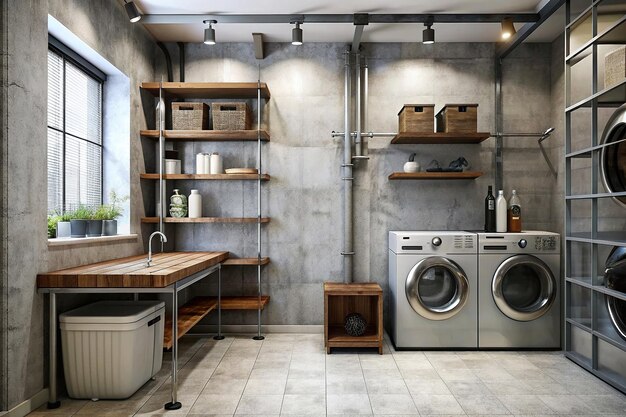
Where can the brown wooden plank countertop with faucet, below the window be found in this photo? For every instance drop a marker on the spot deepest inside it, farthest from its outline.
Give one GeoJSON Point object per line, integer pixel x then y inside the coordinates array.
{"type": "Point", "coordinates": [131, 272]}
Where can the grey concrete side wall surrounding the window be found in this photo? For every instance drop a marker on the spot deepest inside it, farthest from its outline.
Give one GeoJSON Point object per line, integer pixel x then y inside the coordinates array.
{"type": "Point", "coordinates": [104, 26]}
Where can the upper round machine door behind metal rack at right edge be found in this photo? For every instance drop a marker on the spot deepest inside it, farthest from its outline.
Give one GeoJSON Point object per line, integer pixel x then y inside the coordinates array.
{"type": "Point", "coordinates": [613, 156]}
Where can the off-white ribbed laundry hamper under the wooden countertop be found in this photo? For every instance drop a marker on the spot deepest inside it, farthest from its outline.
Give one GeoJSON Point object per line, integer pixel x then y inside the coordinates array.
{"type": "Point", "coordinates": [111, 348]}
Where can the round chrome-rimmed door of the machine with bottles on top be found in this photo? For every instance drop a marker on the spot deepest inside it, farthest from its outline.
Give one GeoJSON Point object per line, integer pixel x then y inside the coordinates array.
{"type": "Point", "coordinates": [523, 288]}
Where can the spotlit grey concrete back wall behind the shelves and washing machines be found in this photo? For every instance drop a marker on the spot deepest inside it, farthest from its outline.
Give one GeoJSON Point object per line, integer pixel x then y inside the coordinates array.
{"type": "Point", "coordinates": [304, 196]}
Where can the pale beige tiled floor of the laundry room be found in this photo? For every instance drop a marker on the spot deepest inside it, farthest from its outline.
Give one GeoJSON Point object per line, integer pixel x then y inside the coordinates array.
{"type": "Point", "coordinates": [289, 374]}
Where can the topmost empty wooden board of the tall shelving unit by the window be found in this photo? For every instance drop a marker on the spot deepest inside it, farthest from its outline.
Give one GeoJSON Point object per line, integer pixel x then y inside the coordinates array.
{"type": "Point", "coordinates": [208, 90]}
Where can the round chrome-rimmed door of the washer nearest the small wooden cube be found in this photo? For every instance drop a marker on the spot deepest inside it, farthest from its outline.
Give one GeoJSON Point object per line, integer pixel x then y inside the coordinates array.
{"type": "Point", "coordinates": [437, 288]}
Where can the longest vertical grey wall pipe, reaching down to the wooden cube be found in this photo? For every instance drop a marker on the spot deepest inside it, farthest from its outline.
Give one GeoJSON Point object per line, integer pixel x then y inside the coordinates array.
{"type": "Point", "coordinates": [347, 178]}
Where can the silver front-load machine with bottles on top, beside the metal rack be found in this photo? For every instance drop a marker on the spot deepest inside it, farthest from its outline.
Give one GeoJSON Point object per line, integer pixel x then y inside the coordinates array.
{"type": "Point", "coordinates": [519, 295]}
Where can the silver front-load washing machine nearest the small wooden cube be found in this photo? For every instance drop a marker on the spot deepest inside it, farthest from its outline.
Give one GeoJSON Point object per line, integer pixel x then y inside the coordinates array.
{"type": "Point", "coordinates": [433, 290]}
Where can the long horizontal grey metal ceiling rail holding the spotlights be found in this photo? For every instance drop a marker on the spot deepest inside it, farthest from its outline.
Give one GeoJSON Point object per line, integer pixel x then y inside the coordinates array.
{"type": "Point", "coordinates": [356, 18]}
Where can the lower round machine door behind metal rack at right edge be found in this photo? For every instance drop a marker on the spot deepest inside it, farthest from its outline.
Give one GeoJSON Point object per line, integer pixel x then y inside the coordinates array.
{"type": "Point", "coordinates": [615, 279]}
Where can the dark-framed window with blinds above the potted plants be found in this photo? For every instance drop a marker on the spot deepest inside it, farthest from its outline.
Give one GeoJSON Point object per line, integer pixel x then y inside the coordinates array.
{"type": "Point", "coordinates": [74, 130]}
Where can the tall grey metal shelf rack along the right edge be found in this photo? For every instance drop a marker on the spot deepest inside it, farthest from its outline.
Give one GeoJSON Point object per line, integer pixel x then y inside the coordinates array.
{"type": "Point", "coordinates": [610, 97]}
